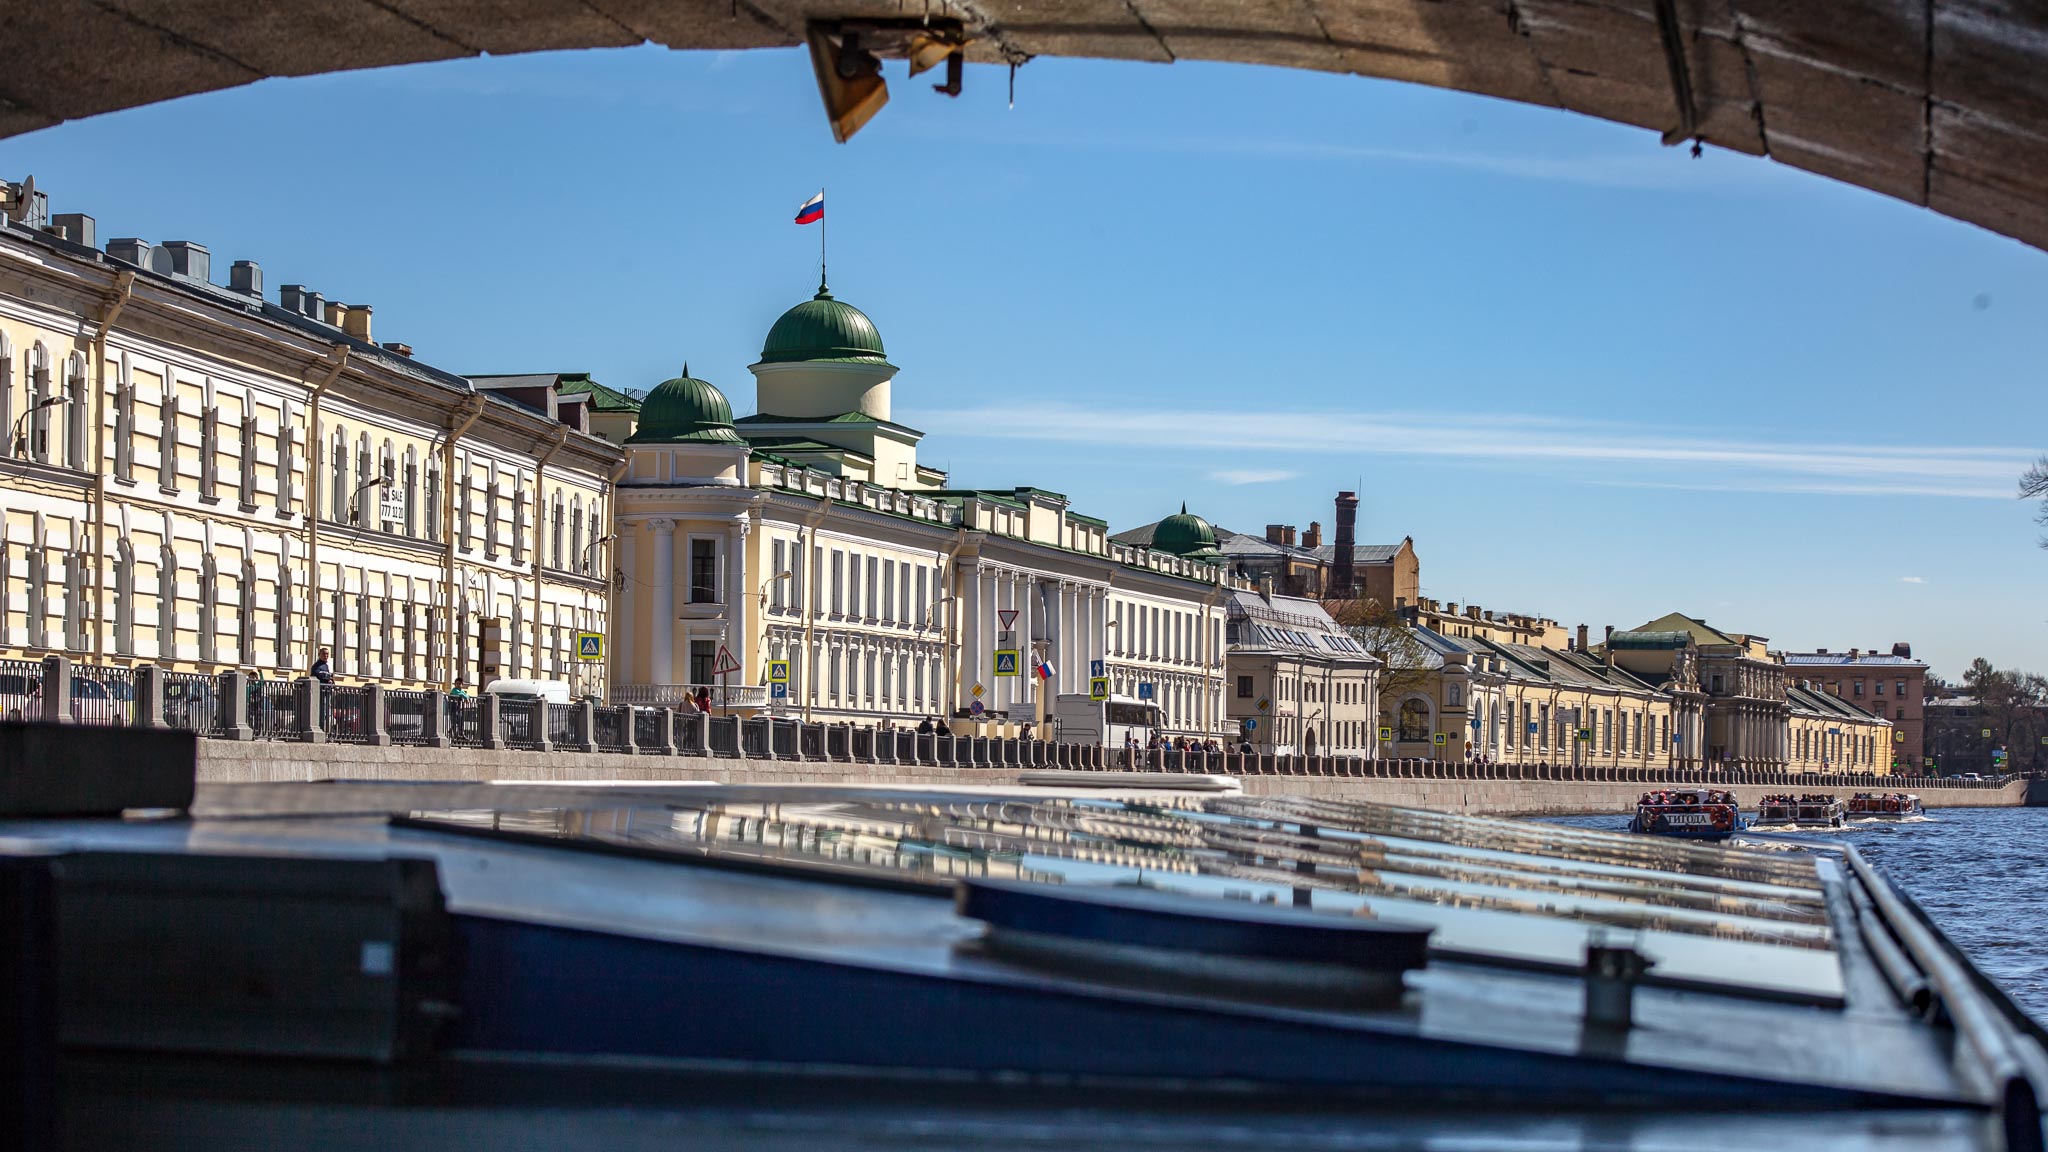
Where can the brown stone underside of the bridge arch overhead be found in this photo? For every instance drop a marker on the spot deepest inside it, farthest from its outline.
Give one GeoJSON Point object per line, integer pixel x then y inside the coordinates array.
{"type": "Point", "coordinates": [1940, 104]}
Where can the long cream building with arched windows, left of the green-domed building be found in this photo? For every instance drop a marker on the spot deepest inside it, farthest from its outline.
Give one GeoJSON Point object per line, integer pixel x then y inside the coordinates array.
{"type": "Point", "coordinates": [206, 479]}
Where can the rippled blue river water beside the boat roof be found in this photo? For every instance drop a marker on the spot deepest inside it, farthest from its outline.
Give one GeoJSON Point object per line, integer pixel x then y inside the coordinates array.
{"type": "Point", "coordinates": [1979, 872]}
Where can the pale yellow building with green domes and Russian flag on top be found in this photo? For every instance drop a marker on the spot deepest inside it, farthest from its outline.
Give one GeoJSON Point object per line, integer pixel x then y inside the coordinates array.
{"type": "Point", "coordinates": [804, 561]}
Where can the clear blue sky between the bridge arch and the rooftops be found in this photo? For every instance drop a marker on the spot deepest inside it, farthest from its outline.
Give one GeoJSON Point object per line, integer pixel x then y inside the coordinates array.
{"type": "Point", "coordinates": [1590, 376]}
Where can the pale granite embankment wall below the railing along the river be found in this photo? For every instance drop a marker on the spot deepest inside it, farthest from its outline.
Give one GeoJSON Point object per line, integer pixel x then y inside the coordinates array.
{"type": "Point", "coordinates": [224, 762]}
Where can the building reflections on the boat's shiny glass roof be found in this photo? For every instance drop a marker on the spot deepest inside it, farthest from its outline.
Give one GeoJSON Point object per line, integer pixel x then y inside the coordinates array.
{"type": "Point", "coordinates": [1492, 891]}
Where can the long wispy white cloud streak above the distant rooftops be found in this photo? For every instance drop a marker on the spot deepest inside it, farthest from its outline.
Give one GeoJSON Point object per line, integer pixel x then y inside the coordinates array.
{"type": "Point", "coordinates": [1592, 452]}
